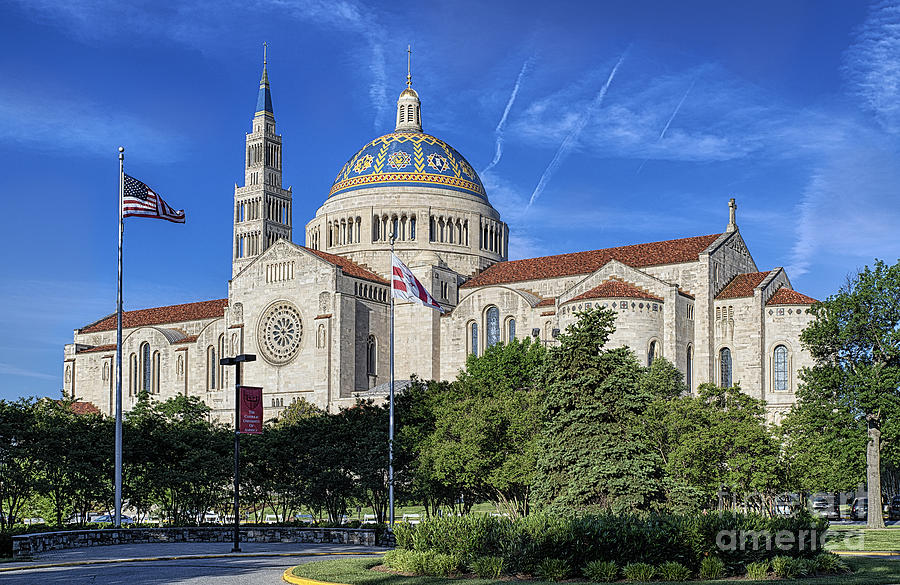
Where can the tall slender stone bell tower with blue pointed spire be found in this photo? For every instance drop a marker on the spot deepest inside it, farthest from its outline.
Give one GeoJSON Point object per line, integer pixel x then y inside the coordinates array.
{"type": "Point", "coordinates": [262, 208]}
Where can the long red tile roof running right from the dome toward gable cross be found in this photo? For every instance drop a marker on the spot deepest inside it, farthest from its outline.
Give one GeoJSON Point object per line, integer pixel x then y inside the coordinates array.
{"type": "Point", "coordinates": [638, 256]}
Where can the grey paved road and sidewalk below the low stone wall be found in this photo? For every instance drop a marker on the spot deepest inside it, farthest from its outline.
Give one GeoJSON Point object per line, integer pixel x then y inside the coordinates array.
{"type": "Point", "coordinates": [260, 564]}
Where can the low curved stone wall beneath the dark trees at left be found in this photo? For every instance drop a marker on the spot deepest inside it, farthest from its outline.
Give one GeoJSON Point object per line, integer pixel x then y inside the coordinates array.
{"type": "Point", "coordinates": [27, 545]}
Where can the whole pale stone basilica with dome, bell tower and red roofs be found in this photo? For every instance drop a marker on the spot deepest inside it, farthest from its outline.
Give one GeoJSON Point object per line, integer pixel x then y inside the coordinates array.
{"type": "Point", "coordinates": [317, 315]}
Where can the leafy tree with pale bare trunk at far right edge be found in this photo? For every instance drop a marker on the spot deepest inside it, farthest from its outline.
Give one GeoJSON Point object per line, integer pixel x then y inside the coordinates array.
{"type": "Point", "coordinates": [855, 342]}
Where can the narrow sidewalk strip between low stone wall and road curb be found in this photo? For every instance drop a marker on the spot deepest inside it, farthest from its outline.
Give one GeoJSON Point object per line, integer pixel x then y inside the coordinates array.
{"type": "Point", "coordinates": [125, 553]}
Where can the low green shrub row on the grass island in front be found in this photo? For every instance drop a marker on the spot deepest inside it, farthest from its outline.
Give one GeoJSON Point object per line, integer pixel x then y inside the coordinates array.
{"type": "Point", "coordinates": [735, 538]}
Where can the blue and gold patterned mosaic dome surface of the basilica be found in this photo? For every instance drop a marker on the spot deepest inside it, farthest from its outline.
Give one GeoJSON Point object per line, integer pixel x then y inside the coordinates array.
{"type": "Point", "coordinates": [409, 159]}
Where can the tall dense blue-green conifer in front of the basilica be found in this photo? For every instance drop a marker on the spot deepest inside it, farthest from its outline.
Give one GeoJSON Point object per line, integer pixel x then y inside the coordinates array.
{"type": "Point", "coordinates": [594, 453]}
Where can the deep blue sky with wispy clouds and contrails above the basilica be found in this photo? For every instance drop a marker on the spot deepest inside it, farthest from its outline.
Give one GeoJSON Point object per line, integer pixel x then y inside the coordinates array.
{"type": "Point", "coordinates": [592, 124]}
